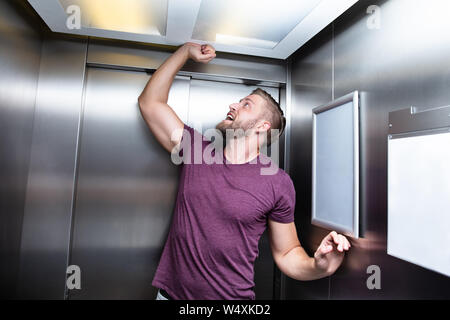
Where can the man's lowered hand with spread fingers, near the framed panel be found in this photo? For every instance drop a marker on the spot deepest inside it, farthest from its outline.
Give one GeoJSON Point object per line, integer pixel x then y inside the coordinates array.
{"type": "Point", "coordinates": [331, 251]}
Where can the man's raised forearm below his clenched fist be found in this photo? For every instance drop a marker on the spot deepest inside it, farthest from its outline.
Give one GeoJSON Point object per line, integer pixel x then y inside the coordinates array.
{"type": "Point", "coordinates": [157, 89]}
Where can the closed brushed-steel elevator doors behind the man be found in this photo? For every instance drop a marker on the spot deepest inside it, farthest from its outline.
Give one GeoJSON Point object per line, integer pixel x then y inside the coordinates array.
{"type": "Point", "coordinates": [126, 183]}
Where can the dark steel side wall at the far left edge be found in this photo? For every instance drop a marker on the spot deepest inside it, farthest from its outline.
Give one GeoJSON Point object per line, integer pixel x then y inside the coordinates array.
{"type": "Point", "coordinates": [20, 51]}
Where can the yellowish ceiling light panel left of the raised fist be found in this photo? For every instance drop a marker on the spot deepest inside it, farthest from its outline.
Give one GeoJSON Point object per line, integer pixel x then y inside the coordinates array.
{"type": "Point", "coordinates": [134, 16]}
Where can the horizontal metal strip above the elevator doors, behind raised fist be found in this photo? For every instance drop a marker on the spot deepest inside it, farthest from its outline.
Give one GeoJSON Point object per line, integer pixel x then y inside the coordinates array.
{"type": "Point", "coordinates": [226, 65]}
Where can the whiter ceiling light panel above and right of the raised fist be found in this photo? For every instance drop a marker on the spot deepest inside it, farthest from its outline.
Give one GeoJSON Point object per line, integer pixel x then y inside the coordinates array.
{"type": "Point", "coordinates": [250, 23]}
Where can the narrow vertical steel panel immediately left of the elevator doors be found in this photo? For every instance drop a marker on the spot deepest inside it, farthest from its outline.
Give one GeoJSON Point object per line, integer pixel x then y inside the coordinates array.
{"type": "Point", "coordinates": [48, 204]}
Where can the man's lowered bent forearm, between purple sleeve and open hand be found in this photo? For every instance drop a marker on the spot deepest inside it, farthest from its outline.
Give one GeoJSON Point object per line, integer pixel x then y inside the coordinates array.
{"type": "Point", "coordinates": [298, 265]}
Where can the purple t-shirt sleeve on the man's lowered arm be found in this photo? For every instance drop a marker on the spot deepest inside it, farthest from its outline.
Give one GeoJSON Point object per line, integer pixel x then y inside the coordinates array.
{"type": "Point", "coordinates": [284, 208]}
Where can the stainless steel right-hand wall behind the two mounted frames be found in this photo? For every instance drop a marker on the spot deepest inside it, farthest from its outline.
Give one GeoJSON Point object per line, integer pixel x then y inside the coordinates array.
{"type": "Point", "coordinates": [404, 63]}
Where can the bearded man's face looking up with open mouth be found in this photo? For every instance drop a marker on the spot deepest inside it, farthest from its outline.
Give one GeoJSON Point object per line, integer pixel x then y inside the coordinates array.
{"type": "Point", "coordinates": [245, 115]}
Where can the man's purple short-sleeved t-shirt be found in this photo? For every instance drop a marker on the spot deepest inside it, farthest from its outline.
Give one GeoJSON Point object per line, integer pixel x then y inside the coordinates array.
{"type": "Point", "coordinates": [220, 214]}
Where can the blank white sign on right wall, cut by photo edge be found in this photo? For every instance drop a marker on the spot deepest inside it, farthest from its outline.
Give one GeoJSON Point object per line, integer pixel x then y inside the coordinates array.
{"type": "Point", "coordinates": [419, 199]}
